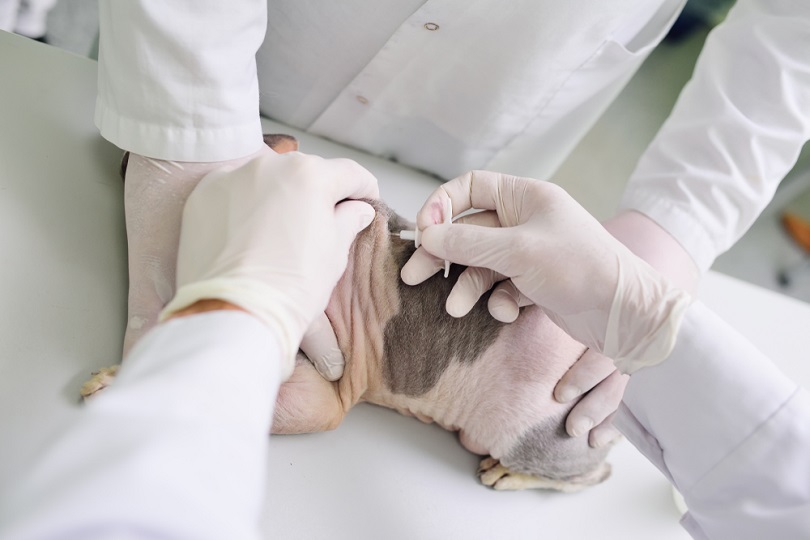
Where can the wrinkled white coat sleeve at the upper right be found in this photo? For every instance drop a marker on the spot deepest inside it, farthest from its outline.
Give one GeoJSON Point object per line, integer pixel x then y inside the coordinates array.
{"type": "Point", "coordinates": [735, 132]}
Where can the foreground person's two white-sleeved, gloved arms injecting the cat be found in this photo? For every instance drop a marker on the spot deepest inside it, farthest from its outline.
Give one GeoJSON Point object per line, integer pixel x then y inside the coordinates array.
{"type": "Point", "coordinates": [177, 447]}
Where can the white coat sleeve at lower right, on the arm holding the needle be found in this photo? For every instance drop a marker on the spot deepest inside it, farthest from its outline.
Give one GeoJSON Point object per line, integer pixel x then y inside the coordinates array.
{"type": "Point", "coordinates": [728, 429]}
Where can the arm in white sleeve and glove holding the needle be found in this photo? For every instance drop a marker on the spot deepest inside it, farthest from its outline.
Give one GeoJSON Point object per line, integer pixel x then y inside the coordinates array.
{"type": "Point", "coordinates": [721, 421]}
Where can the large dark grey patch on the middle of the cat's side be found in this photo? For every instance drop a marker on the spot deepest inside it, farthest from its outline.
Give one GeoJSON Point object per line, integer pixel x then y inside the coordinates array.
{"type": "Point", "coordinates": [422, 339]}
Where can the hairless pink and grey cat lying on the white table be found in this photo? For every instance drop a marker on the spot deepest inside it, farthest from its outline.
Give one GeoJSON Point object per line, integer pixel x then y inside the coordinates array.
{"type": "Point", "coordinates": [492, 382]}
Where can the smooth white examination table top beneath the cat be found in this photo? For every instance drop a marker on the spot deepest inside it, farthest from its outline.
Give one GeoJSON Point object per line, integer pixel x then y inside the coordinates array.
{"type": "Point", "coordinates": [379, 475]}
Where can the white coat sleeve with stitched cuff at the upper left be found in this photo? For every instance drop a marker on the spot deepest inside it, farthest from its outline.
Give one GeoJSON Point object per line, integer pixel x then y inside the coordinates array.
{"type": "Point", "coordinates": [177, 80]}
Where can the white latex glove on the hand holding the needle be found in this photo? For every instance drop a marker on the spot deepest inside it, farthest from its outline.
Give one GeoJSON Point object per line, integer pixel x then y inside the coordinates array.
{"type": "Point", "coordinates": [559, 257]}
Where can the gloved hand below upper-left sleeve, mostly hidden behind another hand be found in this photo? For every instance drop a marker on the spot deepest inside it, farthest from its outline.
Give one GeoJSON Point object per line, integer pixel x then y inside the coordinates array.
{"type": "Point", "coordinates": [154, 194]}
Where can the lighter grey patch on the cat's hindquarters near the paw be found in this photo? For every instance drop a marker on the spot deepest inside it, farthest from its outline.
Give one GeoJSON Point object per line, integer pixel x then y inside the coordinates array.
{"type": "Point", "coordinates": [547, 450]}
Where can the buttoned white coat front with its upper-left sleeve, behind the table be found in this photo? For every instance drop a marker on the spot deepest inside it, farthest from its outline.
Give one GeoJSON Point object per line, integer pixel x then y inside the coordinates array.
{"type": "Point", "coordinates": [444, 100]}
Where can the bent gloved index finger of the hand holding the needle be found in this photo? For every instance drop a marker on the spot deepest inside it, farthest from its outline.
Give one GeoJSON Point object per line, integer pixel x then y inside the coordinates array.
{"type": "Point", "coordinates": [474, 189]}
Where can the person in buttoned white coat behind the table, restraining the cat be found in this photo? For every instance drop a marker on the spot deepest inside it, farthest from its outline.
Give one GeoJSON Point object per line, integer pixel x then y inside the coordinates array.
{"type": "Point", "coordinates": [446, 87]}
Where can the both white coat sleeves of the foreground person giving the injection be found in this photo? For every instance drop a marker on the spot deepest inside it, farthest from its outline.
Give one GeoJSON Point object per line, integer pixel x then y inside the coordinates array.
{"type": "Point", "coordinates": [177, 447]}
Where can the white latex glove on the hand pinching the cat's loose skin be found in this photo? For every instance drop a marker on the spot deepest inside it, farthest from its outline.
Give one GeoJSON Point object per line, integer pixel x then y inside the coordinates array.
{"type": "Point", "coordinates": [273, 238]}
